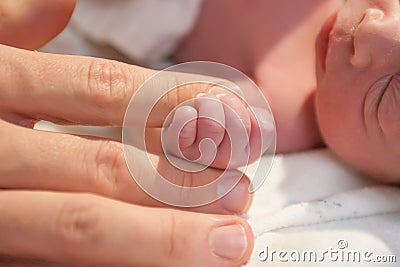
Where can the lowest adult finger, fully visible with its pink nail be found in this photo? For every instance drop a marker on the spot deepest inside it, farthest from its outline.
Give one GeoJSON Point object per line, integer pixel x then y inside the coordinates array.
{"type": "Point", "coordinates": [86, 229]}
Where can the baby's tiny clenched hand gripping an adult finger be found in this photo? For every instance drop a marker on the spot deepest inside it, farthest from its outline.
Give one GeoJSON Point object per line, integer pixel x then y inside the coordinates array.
{"type": "Point", "coordinates": [218, 129]}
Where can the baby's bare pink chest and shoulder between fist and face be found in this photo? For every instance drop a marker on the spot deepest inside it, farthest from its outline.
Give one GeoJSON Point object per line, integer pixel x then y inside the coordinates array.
{"type": "Point", "coordinates": [273, 43]}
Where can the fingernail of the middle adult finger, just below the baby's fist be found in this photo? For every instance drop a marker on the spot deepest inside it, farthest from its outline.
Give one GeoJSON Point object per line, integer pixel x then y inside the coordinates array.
{"type": "Point", "coordinates": [238, 199]}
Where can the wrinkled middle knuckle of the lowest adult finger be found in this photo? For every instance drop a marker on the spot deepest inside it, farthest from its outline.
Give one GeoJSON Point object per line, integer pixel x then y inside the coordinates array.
{"type": "Point", "coordinates": [79, 222]}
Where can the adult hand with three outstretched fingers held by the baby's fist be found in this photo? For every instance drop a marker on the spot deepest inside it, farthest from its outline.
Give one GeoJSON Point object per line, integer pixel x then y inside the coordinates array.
{"type": "Point", "coordinates": [85, 228]}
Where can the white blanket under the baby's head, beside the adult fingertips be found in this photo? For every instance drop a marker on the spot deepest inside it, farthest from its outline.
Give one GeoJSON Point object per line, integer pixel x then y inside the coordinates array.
{"type": "Point", "coordinates": [314, 203]}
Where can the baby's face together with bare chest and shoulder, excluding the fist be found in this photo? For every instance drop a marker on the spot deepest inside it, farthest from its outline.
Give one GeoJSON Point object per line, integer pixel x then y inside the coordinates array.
{"type": "Point", "coordinates": [356, 86]}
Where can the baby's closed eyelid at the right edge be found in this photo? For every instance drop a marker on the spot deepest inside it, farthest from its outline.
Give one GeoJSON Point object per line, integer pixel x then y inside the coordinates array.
{"type": "Point", "coordinates": [389, 109]}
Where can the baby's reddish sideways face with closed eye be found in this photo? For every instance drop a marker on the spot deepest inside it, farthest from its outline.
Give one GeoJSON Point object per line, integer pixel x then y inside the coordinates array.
{"type": "Point", "coordinates": [358, 95]}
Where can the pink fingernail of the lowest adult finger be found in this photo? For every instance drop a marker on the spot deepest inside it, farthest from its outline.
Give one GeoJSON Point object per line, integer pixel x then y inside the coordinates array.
{"type": "Point", "coordinates": [228, 241]}
